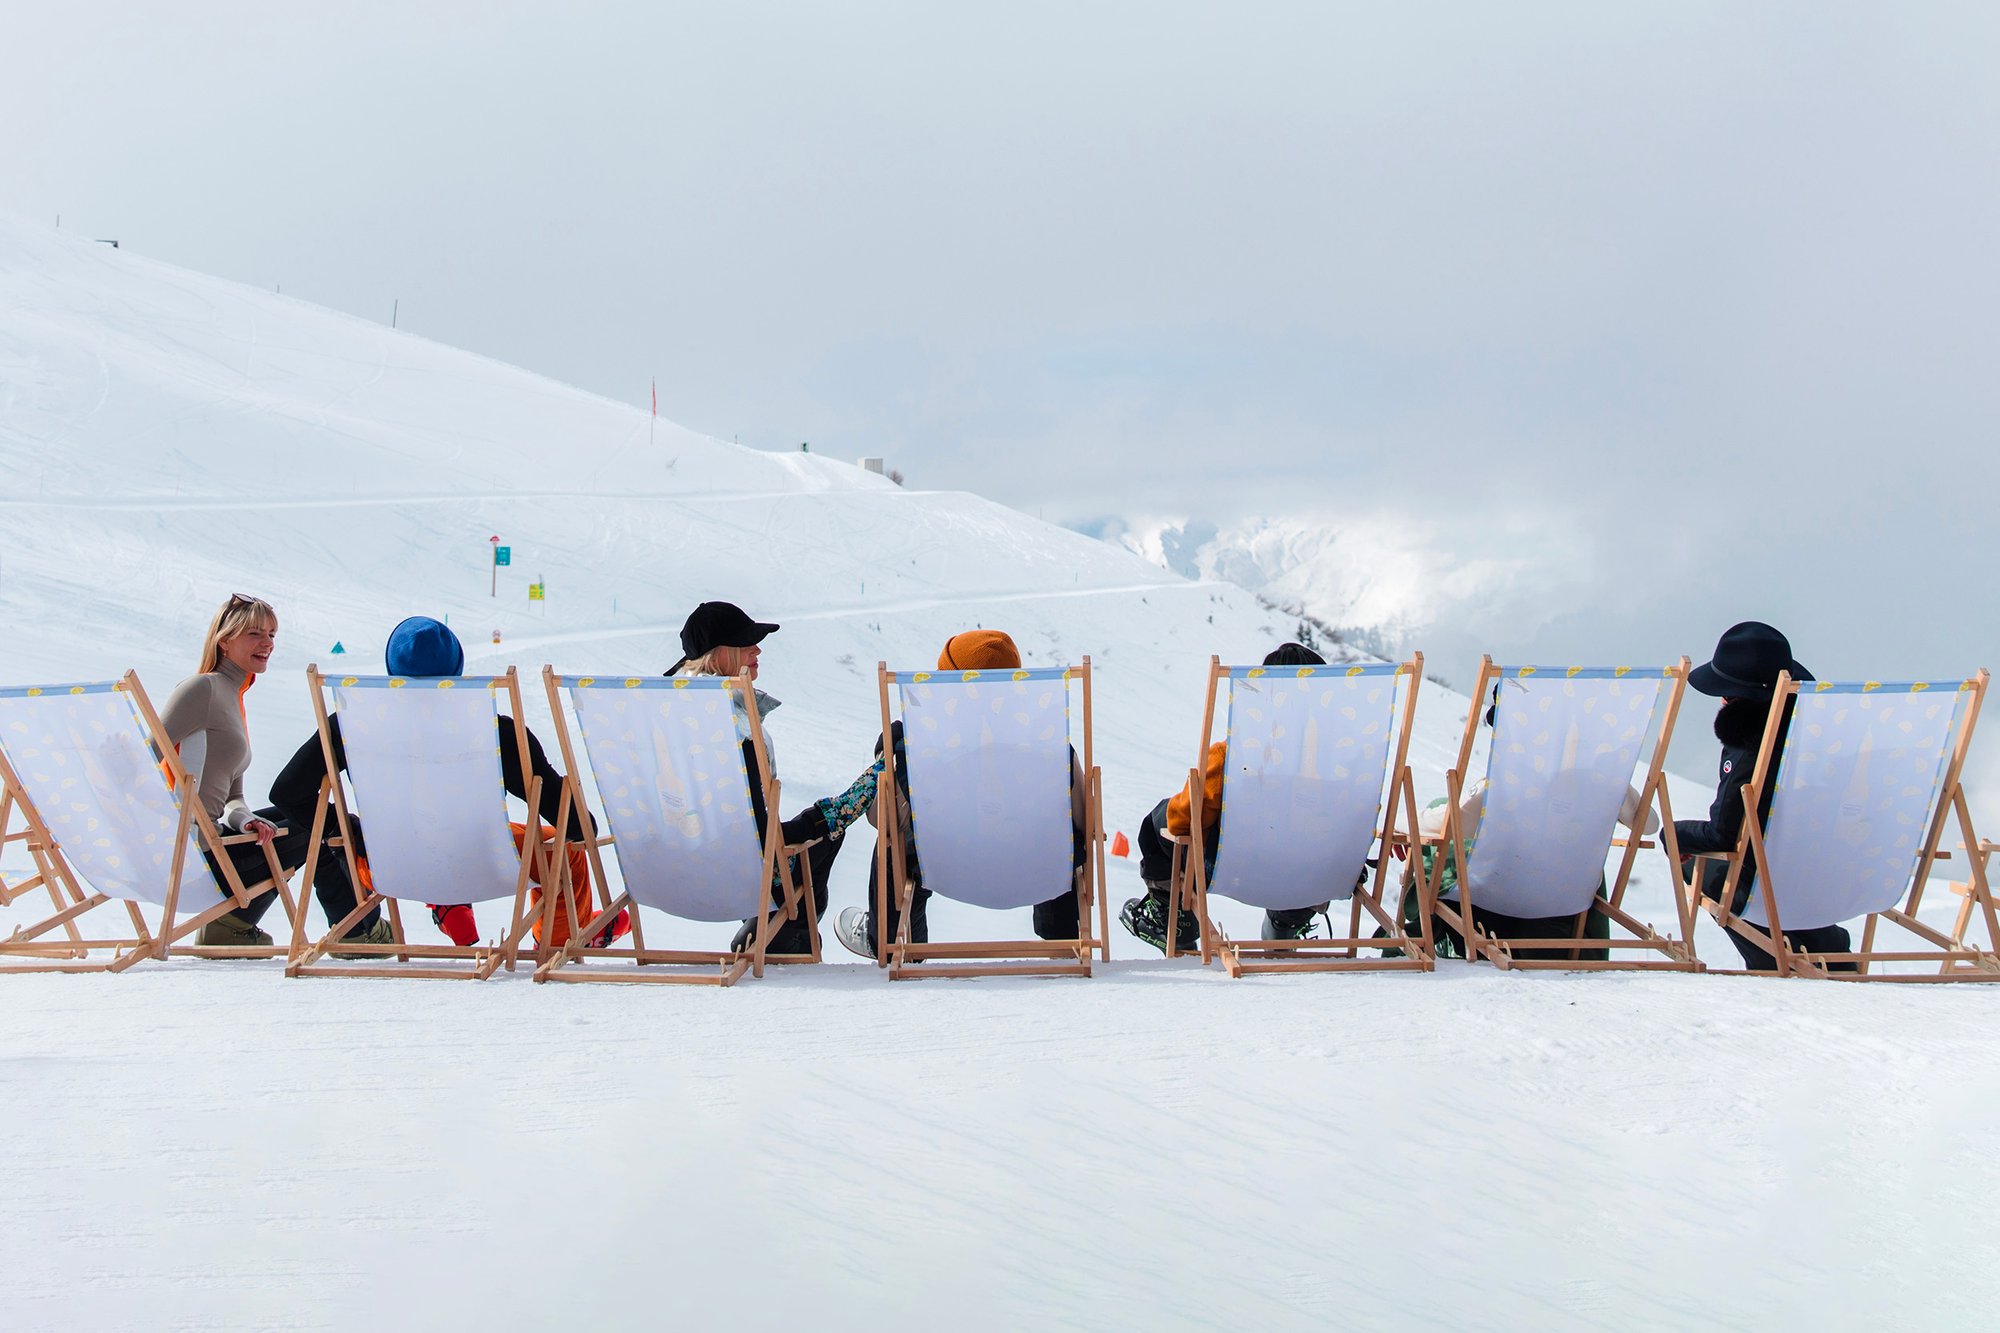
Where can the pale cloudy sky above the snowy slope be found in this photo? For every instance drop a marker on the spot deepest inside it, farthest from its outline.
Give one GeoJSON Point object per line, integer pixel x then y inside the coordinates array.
{"type": "Point", "coordinates": [1703, 291]}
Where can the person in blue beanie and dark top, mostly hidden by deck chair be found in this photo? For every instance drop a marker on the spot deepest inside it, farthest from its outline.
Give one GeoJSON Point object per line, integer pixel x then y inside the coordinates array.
{"type": "Point", "coordinates": [429, 649]}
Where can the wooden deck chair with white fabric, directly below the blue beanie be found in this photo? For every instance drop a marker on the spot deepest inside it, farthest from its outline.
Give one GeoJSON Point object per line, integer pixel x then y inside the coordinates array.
{"type": "Point", "coordinates": [425, 768]}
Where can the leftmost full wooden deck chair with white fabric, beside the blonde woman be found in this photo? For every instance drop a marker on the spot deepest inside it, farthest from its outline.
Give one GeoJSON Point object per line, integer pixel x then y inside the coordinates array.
{"type": "Point", "coordinates": [93, 792]}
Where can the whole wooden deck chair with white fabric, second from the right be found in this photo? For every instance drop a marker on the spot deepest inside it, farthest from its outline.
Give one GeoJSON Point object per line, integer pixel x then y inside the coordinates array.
{"type": "Point", "coordinates": [1563, 752]}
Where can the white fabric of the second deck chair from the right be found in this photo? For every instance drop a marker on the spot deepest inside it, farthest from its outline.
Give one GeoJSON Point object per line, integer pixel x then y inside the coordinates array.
{"type": "Point", "coordinates": [1563, 756]}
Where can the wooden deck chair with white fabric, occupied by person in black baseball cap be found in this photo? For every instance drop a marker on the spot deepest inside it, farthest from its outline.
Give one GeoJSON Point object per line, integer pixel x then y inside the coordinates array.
{"type": "Point", "coordinates": [667, 756]}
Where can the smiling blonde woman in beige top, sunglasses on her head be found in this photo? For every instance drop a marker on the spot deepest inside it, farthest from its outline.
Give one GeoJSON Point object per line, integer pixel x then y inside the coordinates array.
{"type": "Point", "coordinates": [207, 722]}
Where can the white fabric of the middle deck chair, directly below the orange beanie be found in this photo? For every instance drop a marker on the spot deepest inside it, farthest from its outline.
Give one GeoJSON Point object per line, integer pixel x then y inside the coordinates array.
{"type": "Point", "coordinates": [989, 770]}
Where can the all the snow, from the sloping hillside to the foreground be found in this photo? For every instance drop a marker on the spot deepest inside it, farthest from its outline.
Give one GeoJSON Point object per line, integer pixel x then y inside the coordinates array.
{"type": "Point", "coordinates": [211, 1146]}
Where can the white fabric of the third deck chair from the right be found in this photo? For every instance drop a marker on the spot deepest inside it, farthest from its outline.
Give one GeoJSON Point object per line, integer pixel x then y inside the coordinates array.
{"type": "Point", "coordinates": [1305, 782]}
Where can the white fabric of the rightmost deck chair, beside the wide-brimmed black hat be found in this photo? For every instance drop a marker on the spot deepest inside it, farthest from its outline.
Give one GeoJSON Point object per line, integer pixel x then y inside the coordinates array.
{"type": "Point", "coordinates": [1851, 808]}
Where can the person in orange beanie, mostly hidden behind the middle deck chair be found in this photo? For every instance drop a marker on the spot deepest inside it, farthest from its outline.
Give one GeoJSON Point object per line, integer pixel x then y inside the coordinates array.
{"type": "Point", "coordinates": [981, 649]}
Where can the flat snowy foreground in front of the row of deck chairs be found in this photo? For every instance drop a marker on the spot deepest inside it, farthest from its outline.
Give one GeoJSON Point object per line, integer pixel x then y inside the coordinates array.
{"type": "Point", "coordinates": [1155, 1148]}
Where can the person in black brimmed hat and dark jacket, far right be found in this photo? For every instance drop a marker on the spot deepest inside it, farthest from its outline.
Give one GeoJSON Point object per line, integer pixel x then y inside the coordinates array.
{"type": "Point", "coordinates": [1745, 674]}
